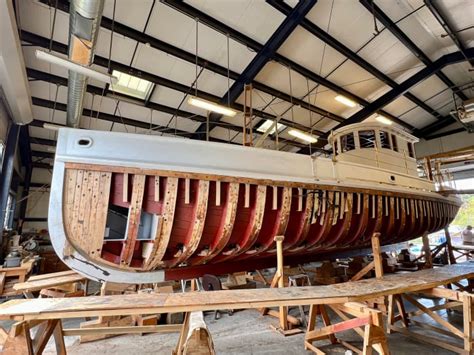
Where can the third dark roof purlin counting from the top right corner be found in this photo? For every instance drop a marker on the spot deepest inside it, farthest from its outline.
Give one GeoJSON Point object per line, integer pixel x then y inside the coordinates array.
{"type": "Point", "coordinates": [341, 48]}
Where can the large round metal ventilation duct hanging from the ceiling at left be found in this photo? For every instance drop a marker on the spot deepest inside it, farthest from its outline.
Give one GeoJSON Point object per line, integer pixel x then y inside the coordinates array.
{"type": "Point", "coordinates": [84, 24]}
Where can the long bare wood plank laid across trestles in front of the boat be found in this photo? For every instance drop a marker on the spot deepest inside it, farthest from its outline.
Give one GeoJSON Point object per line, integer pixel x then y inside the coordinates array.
{"type": "Point", "coordinates": [234, 299]}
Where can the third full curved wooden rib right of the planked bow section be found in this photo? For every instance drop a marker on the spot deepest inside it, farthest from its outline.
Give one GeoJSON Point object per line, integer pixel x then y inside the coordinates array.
{"type": "Point", "coordinates": [198, 226]}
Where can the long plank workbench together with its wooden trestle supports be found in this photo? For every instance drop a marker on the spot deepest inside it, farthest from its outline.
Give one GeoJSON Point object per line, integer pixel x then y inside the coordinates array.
{"type": "Point", "coordinates": [346, 298]}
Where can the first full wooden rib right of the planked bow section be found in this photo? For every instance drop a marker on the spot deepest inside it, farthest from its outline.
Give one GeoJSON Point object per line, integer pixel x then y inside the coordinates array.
{"type": "Point", "coordinates": [133, 221]}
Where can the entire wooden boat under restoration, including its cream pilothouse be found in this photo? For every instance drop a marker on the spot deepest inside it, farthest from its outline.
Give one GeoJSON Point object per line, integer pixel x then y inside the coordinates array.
{"type": "Point", "coordinates": [140, 208]}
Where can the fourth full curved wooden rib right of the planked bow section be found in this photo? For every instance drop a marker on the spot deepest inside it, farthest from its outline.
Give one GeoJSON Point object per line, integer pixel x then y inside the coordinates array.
{"type": "Point", "coordinates": [232, 202]}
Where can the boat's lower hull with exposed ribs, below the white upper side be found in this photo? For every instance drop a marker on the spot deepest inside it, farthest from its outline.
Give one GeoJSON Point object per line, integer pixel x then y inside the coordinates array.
{"type": "Point", "coordinates": [203, 222]}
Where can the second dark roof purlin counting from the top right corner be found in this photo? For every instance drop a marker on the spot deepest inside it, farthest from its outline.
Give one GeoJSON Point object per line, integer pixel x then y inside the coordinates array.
{"type": "Point", "coordinates": [407, 42]}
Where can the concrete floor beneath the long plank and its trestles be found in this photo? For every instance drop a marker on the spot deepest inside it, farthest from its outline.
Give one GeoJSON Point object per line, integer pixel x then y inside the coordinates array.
{"type": "Point", "coordinates": [245, 332]}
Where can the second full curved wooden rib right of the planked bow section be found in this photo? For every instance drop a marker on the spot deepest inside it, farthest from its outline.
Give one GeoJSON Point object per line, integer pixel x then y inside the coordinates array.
{"type": "Point", "coordinates": [163, 233]}
